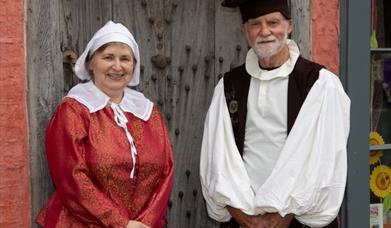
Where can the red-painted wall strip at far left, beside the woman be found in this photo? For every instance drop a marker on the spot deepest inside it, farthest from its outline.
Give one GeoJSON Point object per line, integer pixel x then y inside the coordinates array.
{"type": "Point", "coordinates": [14, 158]}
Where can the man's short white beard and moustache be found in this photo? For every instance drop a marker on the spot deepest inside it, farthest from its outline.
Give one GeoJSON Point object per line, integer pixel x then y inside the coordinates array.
{"type": "Point", "coordinates": [268, 50]}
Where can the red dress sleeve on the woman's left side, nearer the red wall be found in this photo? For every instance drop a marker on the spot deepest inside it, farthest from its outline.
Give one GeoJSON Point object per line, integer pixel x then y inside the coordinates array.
{"type": "Point", "coordinates": [65, 148]}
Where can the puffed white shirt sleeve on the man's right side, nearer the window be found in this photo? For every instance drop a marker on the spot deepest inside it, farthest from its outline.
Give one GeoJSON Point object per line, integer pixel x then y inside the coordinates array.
{"type": "Point", "coordinates": [309, 177]}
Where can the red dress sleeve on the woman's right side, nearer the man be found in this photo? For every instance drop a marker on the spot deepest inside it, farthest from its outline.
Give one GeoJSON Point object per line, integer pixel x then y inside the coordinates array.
{"type": "Point", "coordinates": [154, 213]}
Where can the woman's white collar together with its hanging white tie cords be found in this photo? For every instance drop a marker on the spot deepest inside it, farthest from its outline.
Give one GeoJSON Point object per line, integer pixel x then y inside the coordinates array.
{"type": "Point", "coordinates": [134, 102]}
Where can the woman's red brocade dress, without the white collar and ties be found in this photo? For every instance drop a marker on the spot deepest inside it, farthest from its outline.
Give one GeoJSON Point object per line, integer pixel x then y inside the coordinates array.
{"type": "Point", "coordinates": [90, 163]}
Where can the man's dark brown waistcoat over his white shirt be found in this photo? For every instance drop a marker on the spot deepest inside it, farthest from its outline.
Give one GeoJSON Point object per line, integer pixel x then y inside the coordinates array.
{"type": "Point", "coordinates": [236, 88]}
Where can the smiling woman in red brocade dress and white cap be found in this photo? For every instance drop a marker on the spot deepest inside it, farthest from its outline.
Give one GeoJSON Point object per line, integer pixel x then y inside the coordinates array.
{"type": "Point", "coordinates": [107, 146]}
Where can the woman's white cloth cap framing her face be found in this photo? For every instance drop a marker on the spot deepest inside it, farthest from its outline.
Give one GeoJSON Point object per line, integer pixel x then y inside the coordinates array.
{"type": "Point", "coordinates": [110, 32]}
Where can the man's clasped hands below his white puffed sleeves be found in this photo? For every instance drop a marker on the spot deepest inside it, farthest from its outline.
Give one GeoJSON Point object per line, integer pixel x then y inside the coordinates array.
{"type": "Point", "coordinates": [270, 220]}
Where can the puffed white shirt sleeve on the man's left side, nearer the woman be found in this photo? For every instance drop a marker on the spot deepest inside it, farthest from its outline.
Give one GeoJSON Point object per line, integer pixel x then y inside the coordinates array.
{"type": "Point", "coordinates": [224, 180]}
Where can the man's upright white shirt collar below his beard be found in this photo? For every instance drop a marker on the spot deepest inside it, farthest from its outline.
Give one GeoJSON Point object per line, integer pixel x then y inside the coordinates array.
{"type": "Point", "coordinates": [253, 68]}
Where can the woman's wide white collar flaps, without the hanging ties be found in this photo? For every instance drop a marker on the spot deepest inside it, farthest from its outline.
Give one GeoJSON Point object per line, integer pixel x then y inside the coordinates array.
{"type": "Point", "coordinates": [94, 99]}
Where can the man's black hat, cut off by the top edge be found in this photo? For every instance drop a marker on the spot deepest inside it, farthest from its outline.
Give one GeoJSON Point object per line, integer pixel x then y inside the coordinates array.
{"type": "Point", "coordinates": [255, 8]}
